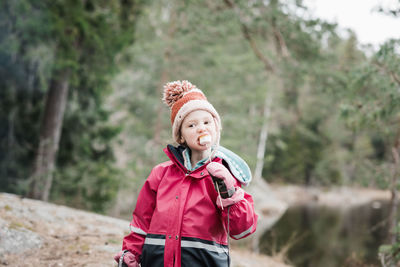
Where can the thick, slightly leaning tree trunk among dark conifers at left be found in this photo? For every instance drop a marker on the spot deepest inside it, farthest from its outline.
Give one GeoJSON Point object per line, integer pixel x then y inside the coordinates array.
{"type": "Point", "coordinates": [50, 133]}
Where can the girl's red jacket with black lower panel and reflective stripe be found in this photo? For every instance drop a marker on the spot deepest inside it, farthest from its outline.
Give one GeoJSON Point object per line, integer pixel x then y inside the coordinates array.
{"type": "Point", "coordinates": [176, 218]}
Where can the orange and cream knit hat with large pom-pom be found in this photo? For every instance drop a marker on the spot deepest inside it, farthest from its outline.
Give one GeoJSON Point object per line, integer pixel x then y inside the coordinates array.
{"type": "Point", "coordinates": [183, 97]}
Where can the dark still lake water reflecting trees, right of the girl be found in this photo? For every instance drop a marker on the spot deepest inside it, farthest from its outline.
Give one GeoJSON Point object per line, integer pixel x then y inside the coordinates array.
{"type": "Point", "coordinates": [325, 237]}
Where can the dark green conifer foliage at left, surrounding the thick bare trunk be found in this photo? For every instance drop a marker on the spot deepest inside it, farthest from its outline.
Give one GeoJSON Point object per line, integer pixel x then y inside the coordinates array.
{"type": "Point", "coordinates": [38, 40]}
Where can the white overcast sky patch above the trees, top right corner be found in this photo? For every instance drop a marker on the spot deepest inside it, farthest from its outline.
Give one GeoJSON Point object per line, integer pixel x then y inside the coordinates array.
{"type": "Point", "coordinates": [370, 26]}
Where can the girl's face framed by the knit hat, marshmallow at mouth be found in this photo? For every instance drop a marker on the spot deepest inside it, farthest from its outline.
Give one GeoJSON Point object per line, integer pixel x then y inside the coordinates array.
{"type": "Point", "coordinates": [196, 124]}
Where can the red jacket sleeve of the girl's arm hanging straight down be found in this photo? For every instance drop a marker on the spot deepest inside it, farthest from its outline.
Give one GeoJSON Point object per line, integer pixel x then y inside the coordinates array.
{"type": "Point", "coordinates": [142, 215]}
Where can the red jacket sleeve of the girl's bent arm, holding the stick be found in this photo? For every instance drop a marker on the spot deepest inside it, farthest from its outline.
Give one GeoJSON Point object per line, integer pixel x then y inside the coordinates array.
{"type": "Point", "coordinates": [242, 217]}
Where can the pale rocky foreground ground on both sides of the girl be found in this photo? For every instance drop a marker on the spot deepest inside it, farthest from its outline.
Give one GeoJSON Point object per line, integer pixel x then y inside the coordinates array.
{"type": "Point", "coordinates": [35, 233]}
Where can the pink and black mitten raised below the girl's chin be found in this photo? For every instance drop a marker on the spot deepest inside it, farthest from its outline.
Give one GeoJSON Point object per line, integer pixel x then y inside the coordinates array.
{"type": "Point", "coordinates": [225, 181]}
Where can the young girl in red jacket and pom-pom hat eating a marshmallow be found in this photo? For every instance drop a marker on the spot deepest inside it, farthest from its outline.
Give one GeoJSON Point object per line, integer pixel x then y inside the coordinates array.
{"type": "Point", "coordinates": [189, 204]}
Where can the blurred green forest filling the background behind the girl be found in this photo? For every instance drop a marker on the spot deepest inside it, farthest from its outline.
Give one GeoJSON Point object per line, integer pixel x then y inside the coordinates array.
{"type": "Point", "coordinates": [81, 117]}
